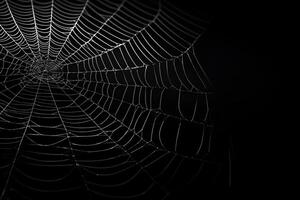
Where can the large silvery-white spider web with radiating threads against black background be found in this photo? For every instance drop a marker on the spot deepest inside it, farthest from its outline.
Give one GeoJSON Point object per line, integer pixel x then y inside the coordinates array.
{"type": "Point", "coordinates": [107, 93]}
